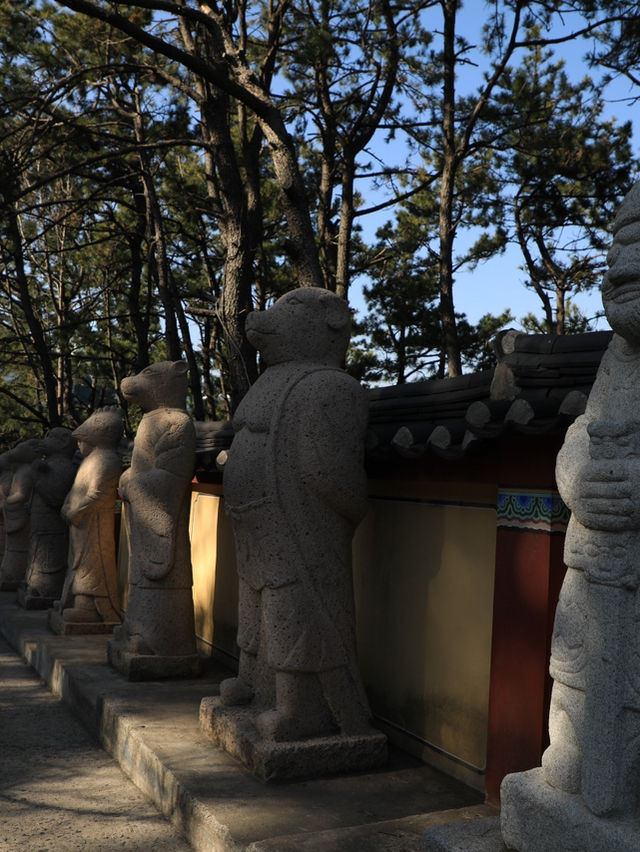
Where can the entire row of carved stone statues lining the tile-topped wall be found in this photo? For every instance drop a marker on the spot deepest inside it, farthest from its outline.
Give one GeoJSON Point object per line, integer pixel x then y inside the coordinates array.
{"type": "Point", "coordinates": [295, 490]}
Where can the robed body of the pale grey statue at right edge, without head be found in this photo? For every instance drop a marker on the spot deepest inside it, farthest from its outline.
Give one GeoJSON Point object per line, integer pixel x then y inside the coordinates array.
{"type": "Point", "coordinates": [595, 650]}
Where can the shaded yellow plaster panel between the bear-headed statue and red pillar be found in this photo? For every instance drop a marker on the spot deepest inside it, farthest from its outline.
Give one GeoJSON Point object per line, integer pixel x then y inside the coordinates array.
{"type": "Point", "coordinates": [424, 563]}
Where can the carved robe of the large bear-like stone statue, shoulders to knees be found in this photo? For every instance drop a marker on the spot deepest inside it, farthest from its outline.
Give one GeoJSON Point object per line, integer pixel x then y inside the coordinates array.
{"type": "Point", "coordinates": [295, 489]}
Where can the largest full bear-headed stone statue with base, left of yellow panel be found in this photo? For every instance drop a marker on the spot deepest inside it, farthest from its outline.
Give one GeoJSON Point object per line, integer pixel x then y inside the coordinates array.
{"type": "Point", "coordinates": [295, 489]}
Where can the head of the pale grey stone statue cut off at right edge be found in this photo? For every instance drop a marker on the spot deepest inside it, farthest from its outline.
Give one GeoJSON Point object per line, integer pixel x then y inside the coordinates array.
{"type": "Point", "coordinates": [621, 284]}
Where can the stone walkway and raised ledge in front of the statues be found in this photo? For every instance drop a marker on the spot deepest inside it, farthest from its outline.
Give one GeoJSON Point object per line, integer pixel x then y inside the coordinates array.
{"type": "Point", "coordinates": [152, 731]}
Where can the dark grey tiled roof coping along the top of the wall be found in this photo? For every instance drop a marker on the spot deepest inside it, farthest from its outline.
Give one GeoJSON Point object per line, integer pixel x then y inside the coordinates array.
{"type": "Point", "coordinates": [539, 385]}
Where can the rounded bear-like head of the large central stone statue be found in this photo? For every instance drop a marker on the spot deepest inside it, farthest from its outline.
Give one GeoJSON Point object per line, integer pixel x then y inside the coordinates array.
{"type": "Point", "coordinates": [307, 324]}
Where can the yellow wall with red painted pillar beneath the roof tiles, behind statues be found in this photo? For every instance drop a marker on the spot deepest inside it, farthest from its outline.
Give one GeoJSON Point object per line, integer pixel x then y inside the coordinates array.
{"type": "Point", "coordinates": [447, 584]}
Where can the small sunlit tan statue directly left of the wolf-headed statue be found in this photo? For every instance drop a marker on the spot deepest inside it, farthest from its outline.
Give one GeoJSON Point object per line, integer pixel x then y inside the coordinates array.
{"type": "Point", "coordinates": [90, 601]}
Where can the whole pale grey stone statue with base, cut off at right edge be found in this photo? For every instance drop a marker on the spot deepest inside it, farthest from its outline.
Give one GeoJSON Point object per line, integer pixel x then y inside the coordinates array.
{"type": "Point", "coordinates": [587, 791]}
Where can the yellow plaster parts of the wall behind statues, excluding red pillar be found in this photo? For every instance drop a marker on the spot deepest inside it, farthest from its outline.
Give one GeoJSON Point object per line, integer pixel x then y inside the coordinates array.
{"type": "Point", "coordinates": [423, 579]}
